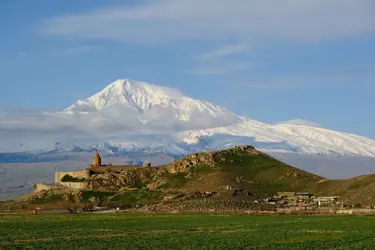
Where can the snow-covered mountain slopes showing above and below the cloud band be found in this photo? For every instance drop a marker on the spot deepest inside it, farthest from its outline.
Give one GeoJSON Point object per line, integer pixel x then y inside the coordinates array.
{"type": "Point", "coordinates": [148, 98]}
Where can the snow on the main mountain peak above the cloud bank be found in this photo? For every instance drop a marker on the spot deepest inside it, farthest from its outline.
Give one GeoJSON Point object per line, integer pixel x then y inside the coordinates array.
{"type": "Point", "coordinates": [144, 97]}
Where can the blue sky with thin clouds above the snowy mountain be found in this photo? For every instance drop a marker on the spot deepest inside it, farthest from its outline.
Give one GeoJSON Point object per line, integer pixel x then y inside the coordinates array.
{"type": "Point", "coordinates": [268, 60]}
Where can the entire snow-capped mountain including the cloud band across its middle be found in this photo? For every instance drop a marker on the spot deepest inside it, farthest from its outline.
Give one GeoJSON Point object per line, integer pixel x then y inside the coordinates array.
{"type": "Point", "coordinates": [131, 116]}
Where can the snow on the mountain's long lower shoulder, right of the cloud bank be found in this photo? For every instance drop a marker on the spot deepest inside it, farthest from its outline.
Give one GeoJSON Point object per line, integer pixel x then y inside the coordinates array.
{"type": "Point", "coordinates": [290, 138]}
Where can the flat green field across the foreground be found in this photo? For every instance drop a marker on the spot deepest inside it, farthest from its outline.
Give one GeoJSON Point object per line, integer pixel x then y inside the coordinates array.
{"type": "Point", "coordinates": [185, 231]}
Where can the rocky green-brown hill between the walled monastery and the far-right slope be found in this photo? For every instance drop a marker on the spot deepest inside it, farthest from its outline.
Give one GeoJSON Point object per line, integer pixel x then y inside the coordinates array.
{"type": "Point", "coordinates": [241, 168]}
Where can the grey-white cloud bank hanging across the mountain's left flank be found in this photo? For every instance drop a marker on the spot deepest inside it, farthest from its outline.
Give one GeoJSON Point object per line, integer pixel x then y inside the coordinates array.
{"type": "Point", "coordinates": [29, 130]}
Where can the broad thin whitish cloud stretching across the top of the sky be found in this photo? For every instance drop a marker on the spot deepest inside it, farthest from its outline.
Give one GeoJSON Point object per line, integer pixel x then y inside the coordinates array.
{"type": "Point", "coordinates": [240, 20]}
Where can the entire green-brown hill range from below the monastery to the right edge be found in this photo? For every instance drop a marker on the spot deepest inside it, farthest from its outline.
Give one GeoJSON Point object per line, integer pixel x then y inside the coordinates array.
{"type": "Point", "coordinates": [234, 176]}
